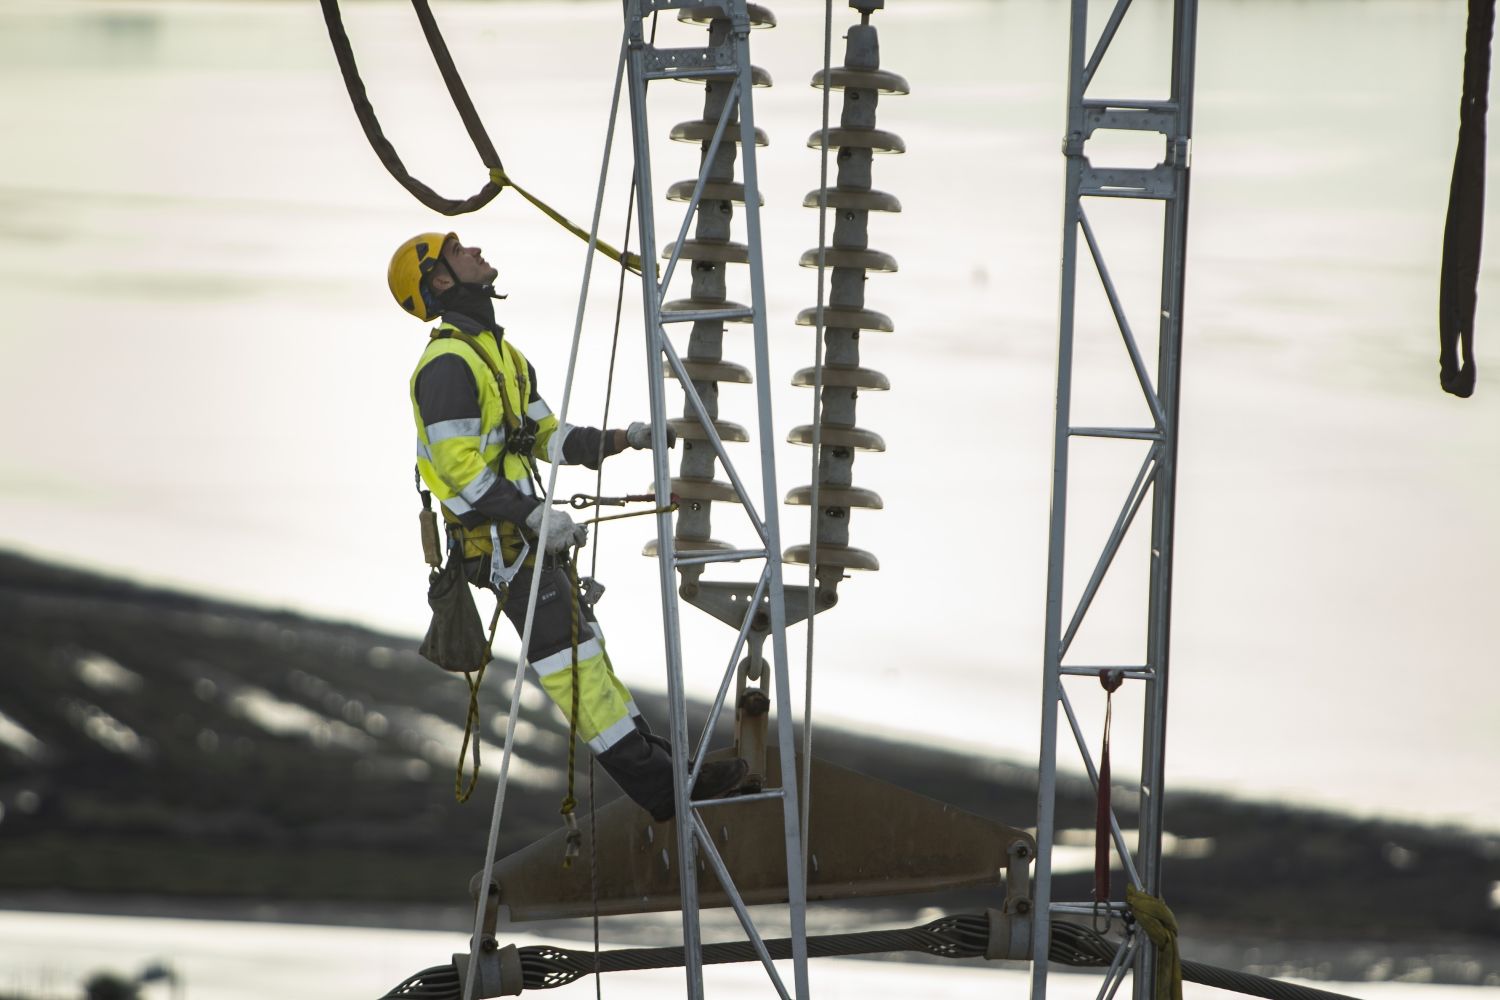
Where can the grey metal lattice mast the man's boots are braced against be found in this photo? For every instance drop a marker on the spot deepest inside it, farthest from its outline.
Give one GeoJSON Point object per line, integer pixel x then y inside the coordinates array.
{"type": "Point", "coordinates": [724, 67]}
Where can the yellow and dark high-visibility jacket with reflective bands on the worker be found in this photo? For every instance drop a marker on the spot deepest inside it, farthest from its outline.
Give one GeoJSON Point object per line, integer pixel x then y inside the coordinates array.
{"type": "Point", "coordinates": [475, 445]}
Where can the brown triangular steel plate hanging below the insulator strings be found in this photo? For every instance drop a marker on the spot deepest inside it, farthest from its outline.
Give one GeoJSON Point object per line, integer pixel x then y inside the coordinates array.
{"type": "Point", "coordinates": [868, 839]}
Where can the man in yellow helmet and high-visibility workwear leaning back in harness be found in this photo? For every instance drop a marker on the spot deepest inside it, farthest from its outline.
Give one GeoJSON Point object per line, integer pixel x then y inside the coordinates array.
{"type": "Point", "coordinates": [481, 422]}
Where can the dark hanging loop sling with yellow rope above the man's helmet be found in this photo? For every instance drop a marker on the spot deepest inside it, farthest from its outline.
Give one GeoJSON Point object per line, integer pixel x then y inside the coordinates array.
{"type": "Point", "coordinates": [499, 179]}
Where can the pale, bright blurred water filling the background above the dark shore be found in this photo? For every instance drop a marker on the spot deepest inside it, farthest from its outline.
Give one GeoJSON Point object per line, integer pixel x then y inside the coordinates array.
{"type": "Point", "coordinates": [206, 380]}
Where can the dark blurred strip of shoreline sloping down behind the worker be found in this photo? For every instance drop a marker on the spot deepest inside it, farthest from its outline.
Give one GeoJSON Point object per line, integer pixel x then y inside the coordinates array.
{"type": "Point", "coordinates": [211, 815]}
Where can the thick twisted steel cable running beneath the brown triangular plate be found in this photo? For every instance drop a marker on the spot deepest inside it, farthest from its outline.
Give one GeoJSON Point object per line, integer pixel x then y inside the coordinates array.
{"type": "Point", "coordinates": [958, 936]}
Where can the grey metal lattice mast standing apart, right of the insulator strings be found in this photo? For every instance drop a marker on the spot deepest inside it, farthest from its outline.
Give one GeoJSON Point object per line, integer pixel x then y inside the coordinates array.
{"type": "Point", "coordinates": [1168, 184]}
